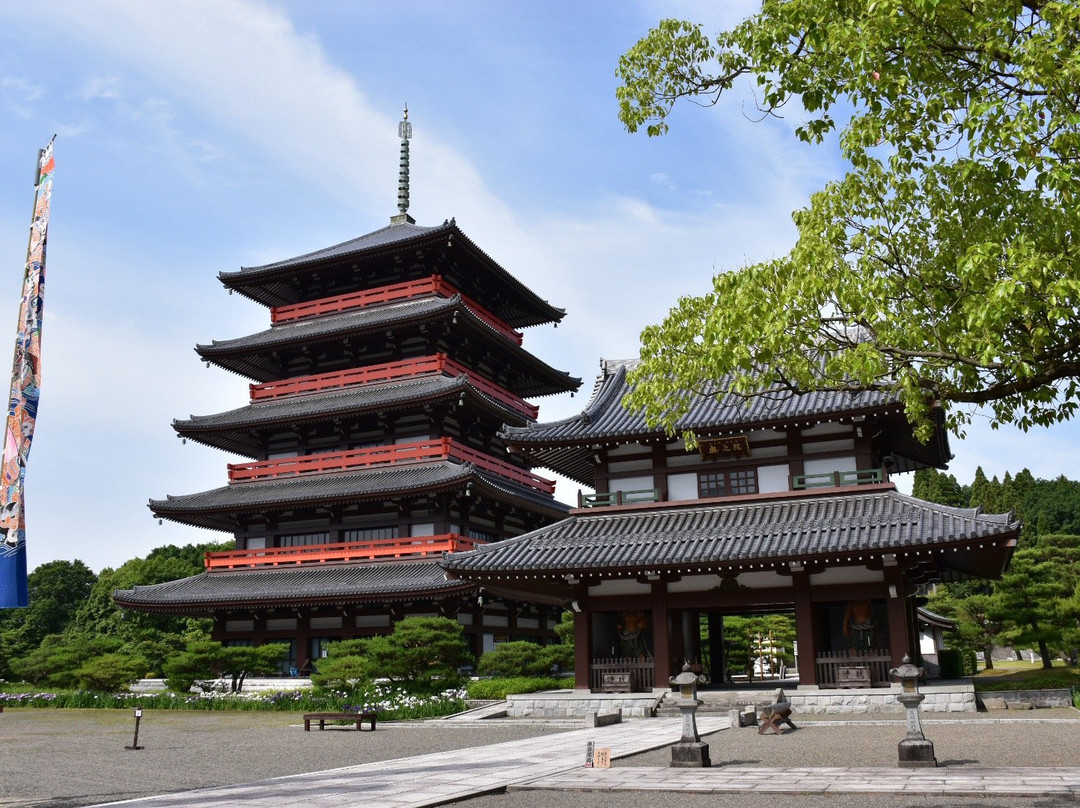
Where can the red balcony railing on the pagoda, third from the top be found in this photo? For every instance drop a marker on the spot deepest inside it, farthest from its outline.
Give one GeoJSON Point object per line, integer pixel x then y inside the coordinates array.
{"type": "Point", "coordinates": [374, 457]}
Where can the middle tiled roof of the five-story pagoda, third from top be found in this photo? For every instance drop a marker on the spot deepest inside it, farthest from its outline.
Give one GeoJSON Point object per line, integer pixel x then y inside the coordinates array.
{"type": "Point", "coordinates": [233, 430]}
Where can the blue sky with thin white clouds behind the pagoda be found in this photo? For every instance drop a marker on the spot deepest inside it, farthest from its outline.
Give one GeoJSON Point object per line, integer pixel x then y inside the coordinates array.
{"type": "Point", "coordinates": [196, 138]}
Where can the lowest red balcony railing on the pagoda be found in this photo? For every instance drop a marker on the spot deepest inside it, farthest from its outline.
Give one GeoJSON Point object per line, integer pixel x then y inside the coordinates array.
{"type": "Point", "coordinates": [347, 553]}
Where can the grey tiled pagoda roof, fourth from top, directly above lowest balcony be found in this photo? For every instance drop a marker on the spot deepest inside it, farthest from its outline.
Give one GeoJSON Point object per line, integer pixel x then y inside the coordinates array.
{"type": "Point", "coordinates": [217, 509]}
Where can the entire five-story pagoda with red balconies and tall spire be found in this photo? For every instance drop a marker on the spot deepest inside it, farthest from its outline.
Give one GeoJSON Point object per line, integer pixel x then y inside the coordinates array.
{"type": "Point", "coordinates": [372, 445]}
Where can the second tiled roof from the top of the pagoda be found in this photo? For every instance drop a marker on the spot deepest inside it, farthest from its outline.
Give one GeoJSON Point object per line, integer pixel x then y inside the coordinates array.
{"type": "Point", "coordinates": [252, 356]}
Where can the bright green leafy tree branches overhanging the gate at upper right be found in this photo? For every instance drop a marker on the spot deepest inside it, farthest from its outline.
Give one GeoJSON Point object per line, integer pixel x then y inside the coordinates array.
{"type": "Point", "coordinates": [944, 266]}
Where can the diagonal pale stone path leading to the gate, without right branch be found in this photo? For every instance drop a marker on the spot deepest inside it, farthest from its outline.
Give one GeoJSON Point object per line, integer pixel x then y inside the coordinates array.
{"type": "Point", "coordinates": [438, 778]}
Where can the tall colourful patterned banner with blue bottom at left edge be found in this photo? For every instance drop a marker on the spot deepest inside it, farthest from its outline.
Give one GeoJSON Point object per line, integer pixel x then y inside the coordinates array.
{"type": "Point", "coordinates": [23, 403]}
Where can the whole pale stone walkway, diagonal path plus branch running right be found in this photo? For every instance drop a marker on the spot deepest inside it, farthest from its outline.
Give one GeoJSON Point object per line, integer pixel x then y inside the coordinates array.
{"type": "Point", "coordinates": [556, 763]}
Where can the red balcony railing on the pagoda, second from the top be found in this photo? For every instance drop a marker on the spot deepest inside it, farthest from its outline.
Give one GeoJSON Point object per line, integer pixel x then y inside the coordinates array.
{"type": "Point", "coordinates": [390, 372]}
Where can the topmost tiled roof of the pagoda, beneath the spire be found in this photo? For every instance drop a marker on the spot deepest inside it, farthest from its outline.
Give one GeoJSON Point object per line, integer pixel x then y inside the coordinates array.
{"type": "Point", "coordinates": [518, 304]}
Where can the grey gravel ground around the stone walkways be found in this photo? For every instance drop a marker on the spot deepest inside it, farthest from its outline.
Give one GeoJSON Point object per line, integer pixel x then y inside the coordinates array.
{"type": "Point", "coordinates": [56, 759]}
